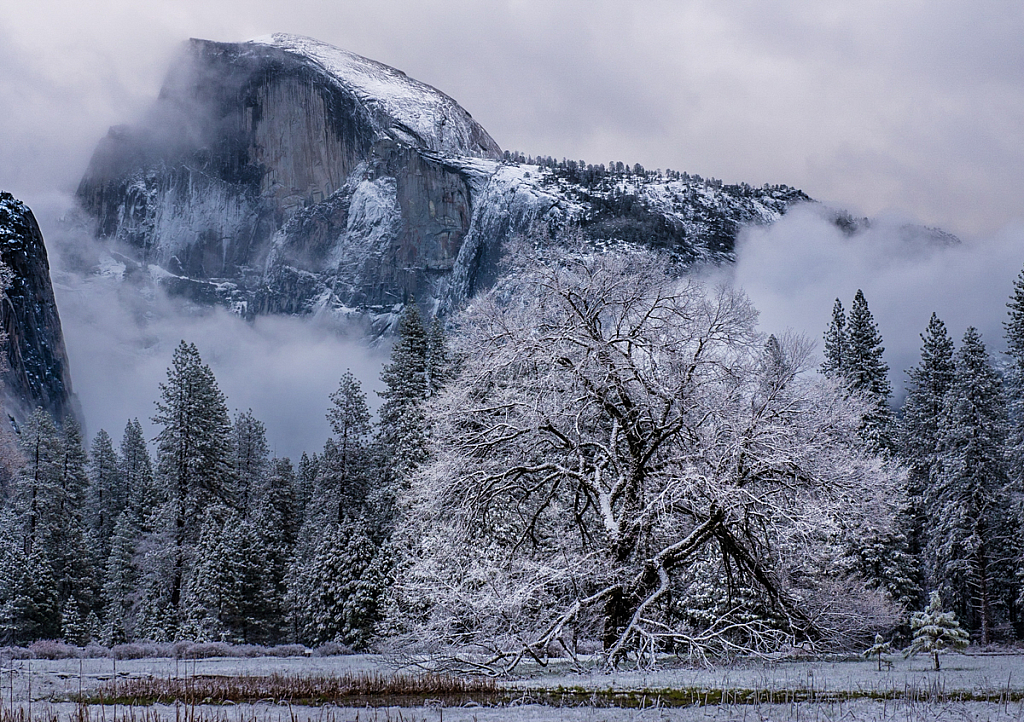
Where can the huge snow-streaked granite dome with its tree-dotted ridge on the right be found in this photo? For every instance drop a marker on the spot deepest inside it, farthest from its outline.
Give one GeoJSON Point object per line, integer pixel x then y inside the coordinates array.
{"type": "Point", "coordinates": [287, 177]}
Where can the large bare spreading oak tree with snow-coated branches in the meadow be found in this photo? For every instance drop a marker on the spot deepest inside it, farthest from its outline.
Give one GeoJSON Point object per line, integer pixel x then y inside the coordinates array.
{"type": "Point", "coordinates": [612, 424]}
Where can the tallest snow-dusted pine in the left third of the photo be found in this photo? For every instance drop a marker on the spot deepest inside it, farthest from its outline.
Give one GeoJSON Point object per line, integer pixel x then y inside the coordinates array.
{"type": "Point", "coordinates": [195, 452]}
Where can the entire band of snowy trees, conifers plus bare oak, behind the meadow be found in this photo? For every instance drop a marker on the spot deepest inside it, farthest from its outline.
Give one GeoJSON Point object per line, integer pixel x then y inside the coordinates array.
{"type": "Point", "coordinates": [601, 457]}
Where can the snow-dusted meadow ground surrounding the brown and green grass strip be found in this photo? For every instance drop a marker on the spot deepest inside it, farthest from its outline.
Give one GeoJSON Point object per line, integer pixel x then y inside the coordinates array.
{"type": "Point", "coordinates": [997, 675]}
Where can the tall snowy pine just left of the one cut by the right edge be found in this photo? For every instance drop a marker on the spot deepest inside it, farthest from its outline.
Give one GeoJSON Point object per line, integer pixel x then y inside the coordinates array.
{"type": "Point", "coordinates": [968, 500]}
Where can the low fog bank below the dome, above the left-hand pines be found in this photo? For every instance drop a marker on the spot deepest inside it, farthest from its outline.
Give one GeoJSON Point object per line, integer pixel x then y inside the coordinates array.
{"type": "Point", "coordinates": [120, 341]}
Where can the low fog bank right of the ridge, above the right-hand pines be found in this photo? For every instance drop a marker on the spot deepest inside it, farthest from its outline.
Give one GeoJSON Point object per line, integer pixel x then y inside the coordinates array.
{"type": "Point", "coordinates": [795, 270]}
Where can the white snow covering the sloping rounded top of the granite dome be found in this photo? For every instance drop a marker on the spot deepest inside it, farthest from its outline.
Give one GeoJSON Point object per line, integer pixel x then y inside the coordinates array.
{"type": "Point", "coordinates": [422, 115]}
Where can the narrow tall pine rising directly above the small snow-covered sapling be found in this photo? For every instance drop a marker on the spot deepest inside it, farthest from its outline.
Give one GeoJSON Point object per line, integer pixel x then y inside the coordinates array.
{"type": "Point", "coordinates": [920, 433]}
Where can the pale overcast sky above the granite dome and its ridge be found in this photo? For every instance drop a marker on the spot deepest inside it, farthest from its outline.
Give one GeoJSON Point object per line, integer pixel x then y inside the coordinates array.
{"type": "Point", "coordinates": [912, 106]}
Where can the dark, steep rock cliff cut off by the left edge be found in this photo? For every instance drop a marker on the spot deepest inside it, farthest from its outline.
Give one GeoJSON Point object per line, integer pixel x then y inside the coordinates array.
{"type": "Point", "coordinates": [36, 373]}
